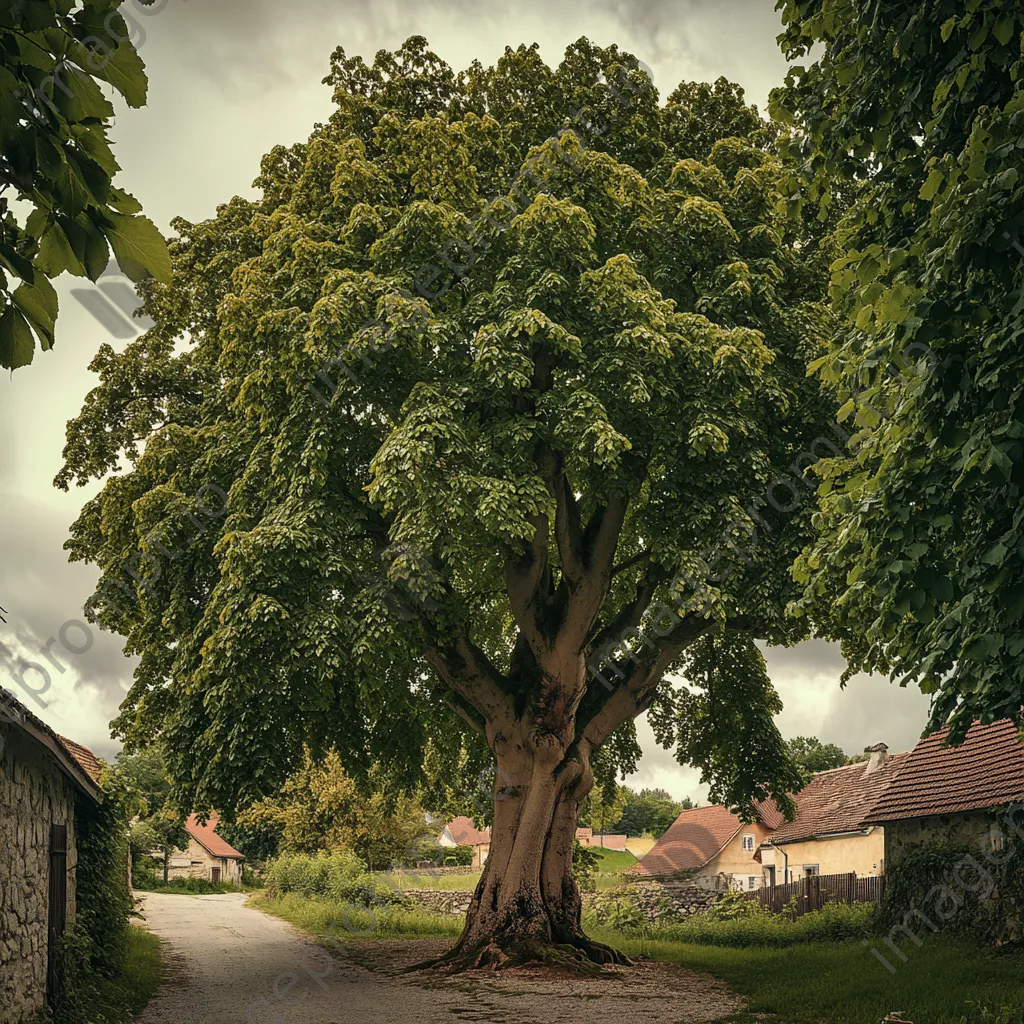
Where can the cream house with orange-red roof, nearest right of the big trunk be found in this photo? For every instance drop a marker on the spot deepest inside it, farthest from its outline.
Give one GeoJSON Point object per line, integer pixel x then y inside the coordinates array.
{"type": "Point", "coordinates": [711, 847]}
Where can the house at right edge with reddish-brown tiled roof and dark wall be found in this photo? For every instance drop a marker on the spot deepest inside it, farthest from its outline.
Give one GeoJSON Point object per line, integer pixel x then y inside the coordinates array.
{"type": "Point", "coordinates": [952, 795]}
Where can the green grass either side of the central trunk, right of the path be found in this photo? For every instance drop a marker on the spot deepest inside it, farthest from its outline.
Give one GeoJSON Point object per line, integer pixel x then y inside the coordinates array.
{"type": "Point", "coordinates": [808, 982]}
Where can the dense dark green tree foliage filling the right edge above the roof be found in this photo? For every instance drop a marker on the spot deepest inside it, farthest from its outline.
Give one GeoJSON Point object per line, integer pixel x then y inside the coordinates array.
{"type": "Point", "coordinates": [920, 562]}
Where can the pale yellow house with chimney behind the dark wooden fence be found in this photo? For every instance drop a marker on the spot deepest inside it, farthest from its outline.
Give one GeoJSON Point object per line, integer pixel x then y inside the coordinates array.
{"type": "Point", "coordinates": [830, 834]}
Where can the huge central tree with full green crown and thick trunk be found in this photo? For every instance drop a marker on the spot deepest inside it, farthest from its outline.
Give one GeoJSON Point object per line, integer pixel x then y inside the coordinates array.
{"type": "Point", "coordinates": [444, 482]}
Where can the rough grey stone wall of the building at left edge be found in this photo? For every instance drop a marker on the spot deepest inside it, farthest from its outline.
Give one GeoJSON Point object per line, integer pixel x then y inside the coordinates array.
{"type": "Point", "coordinates": [34, 795]}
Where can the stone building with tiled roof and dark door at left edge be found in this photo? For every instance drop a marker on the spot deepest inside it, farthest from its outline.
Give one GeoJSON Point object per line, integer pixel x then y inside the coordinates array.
{"type": "Point", "coordinates": [48, 785]}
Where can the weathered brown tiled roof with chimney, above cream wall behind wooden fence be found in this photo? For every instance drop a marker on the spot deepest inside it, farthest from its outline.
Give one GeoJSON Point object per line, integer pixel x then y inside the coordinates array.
{"type": "Point", "coordinates": [838, 801]}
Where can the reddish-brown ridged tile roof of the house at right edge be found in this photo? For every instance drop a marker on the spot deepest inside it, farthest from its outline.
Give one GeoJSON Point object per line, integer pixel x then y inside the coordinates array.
{"type": "Point", "coordinates": [986, 772]}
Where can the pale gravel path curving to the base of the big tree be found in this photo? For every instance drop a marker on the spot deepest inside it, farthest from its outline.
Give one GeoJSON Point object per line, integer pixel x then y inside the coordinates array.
{"type": "Point", "coordinates": [230, 964]}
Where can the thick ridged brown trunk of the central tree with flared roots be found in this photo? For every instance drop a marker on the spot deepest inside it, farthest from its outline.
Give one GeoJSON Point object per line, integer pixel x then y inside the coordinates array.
{"type": "Point", "coordinates": [528, 906]}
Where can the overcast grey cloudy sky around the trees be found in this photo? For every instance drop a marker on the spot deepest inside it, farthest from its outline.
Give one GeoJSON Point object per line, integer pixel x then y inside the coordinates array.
{"type": "Point", "coordinates": [230, 79]}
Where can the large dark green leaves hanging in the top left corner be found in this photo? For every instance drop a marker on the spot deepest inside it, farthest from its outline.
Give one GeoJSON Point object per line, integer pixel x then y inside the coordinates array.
{"type": "Point", "coordinates": [56, 155]}
